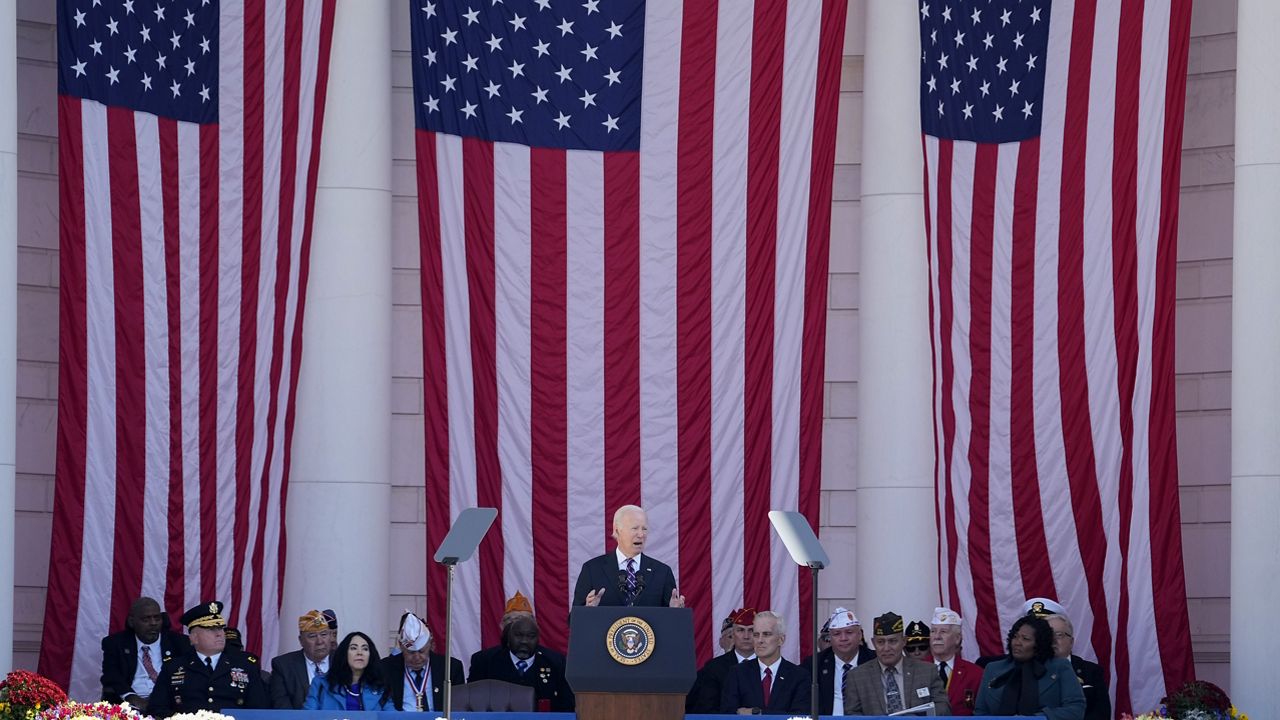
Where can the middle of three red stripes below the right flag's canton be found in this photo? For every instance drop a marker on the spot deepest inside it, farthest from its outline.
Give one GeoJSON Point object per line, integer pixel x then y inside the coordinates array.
{"type": "Point", "coordinates": [981, 259]}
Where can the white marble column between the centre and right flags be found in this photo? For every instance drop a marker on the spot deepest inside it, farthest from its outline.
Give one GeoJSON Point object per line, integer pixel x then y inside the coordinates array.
{"type": "Point", "coordinates": [895, 421]}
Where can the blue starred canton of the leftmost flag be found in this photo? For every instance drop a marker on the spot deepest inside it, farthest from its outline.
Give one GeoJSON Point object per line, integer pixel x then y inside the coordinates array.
{"type": "Point", "coordinates": [145, 56]}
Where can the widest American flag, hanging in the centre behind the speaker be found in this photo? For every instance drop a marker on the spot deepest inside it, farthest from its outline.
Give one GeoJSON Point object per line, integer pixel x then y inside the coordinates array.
{"type": "Point", "coordinates": [624, 212]}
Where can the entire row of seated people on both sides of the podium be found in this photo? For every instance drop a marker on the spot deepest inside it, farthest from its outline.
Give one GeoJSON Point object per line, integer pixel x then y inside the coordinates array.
{"type": "Point", "coordinates": [162, 672]}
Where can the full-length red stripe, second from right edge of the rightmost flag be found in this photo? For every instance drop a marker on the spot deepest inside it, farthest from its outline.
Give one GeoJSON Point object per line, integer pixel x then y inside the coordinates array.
{"type": "Point", "coordinates": [1124, 268]}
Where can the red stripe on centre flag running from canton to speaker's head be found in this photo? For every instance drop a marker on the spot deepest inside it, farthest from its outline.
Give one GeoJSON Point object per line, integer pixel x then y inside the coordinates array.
{"type": "Point", "coordinates": [621, 334]}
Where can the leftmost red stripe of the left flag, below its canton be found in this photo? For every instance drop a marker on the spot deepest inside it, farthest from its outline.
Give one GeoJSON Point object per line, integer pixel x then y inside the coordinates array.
{"type": "Point", "coordinates": [68, 531]}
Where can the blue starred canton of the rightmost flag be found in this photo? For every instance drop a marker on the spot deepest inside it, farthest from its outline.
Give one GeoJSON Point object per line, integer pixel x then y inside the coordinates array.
{"type": "Point", "coordinates": [982, 69]}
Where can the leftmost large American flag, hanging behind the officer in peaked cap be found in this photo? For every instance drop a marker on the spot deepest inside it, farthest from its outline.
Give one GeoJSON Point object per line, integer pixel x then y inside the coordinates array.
{"type": "Point", "coordinates": [189, 143]}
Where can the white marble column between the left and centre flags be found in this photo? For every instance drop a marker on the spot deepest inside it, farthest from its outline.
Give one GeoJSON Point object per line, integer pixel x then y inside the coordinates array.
{"type": "Point", "coordinates": [340, 493]}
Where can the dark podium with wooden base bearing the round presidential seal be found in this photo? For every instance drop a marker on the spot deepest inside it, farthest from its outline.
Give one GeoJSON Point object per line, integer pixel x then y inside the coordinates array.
{"type": "Point", "coordinates": [632, 663]}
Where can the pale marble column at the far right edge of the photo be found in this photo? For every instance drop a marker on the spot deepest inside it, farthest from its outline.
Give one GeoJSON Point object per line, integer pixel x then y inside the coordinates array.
{"type": "Point", "coordinates": [1255, 356]}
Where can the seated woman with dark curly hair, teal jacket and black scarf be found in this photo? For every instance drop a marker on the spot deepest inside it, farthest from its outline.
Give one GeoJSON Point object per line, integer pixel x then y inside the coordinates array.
{"type": "Point", "coordinates": [1031, 681]}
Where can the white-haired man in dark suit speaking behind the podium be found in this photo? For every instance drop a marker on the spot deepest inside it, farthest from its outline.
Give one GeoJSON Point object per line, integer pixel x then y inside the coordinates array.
{"type": "Point", "coordinates": [627, 576]}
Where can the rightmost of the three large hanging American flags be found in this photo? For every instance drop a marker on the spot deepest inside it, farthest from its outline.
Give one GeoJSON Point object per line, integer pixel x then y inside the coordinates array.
{"type": "Point", "coordinates": [1053, 136]}
